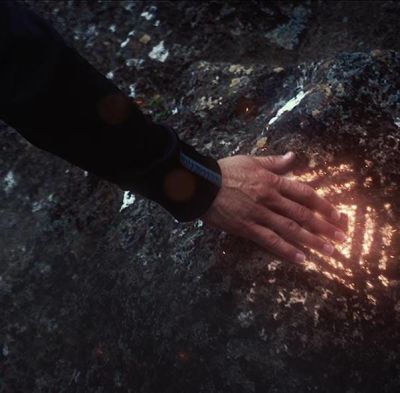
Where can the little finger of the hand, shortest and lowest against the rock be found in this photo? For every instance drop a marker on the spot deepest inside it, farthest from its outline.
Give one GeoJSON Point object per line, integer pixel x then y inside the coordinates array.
{"type": "Point", "coordinates": [269, 240]}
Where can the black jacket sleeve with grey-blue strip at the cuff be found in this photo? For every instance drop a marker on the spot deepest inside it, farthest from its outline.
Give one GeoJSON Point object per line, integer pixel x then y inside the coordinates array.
{"type": "Point", "coordinates": [60, 103]}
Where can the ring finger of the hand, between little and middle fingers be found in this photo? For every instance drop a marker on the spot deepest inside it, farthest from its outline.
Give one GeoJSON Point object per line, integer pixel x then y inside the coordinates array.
{"type": "Point", "coordinates": [292, 232]}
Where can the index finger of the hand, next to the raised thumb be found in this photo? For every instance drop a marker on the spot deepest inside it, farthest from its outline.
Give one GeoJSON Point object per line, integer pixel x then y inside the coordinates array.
{"type": "Point", "coordinates": [306, 195]}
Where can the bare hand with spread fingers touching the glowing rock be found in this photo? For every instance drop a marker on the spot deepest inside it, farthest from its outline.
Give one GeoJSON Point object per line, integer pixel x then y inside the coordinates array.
{"type": "Point", "coordinates": [258, 203]}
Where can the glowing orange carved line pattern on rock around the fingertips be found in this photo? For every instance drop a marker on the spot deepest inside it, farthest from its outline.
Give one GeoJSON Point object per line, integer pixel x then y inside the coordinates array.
{"type": "Point", "coordinates": [367, 248]}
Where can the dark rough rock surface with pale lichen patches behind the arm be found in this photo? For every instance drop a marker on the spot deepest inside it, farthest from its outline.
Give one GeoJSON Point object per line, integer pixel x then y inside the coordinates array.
{"type": "Point", "coordinates": [96, 298]}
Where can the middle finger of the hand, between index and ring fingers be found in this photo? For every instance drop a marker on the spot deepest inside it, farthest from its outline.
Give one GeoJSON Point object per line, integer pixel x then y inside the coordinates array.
{"type": "Point", "coordinates": [307, 219]}
